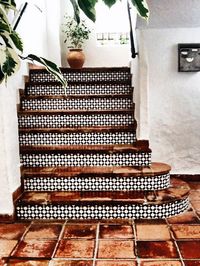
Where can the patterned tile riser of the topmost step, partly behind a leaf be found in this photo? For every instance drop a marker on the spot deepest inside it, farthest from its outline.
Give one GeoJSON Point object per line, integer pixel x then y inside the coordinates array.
{"type": "Point", "coordinates": [79, 76]}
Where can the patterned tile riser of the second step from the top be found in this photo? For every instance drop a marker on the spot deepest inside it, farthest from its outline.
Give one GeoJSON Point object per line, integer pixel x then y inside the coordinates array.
{"type": "Point", "coordinates": [79, 89]}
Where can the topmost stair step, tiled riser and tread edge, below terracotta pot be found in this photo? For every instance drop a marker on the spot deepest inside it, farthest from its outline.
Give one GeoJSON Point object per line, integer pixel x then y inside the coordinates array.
{"type": "Point", "coordinates": [83, 75]}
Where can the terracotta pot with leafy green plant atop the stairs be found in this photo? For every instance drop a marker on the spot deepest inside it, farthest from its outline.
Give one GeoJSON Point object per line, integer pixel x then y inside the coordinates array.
{"type": "Point", "coordinates": [76, 33]}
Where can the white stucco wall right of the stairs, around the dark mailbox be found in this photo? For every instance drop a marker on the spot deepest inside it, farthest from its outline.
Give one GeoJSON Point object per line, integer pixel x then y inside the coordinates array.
{"type": "Point", "coordinates": [170, 98]}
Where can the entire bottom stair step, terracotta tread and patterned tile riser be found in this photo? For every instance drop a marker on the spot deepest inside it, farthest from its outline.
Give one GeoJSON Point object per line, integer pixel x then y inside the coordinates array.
{"type": "Point", "coordinates": [104, 205]}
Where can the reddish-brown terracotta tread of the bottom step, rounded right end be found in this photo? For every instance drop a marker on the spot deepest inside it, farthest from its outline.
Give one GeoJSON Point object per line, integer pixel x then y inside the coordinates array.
{"type": "Point", "coordinates": [178, 190]}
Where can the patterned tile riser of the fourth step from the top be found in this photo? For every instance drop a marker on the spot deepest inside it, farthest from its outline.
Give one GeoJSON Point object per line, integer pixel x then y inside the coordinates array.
{"type": "Point", "coordinates": [64, 121]}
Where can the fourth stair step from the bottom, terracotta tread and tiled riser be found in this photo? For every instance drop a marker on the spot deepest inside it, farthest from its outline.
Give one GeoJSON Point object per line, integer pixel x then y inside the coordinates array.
{"type": "Point", "coordinates": [70, 136]}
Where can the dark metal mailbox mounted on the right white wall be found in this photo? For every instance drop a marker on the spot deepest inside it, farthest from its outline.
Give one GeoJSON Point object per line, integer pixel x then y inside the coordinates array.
{"type": "Point", "coordinates": [188, 57]}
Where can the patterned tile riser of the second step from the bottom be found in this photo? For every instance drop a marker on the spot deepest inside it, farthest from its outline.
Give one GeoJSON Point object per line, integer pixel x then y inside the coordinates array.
{"type": "Point", "coordinates": [91, 183]}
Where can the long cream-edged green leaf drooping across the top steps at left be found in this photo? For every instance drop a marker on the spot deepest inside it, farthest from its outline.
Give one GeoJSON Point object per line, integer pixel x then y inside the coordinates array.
{"type": "Point", "coordinates": [50, 66]}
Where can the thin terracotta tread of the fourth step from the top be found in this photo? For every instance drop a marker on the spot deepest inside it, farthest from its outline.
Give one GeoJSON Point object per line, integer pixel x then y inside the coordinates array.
{"type": "Point", "coordinates": [83, 112]}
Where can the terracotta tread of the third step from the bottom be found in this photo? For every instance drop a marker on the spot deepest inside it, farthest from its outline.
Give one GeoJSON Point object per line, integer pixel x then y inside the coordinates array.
{"type": "Point", "coordinates": [138, 146]}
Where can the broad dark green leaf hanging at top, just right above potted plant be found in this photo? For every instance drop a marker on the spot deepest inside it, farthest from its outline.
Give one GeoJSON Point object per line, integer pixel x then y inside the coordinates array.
{"type": "Point", "coordinates": [88, 7]}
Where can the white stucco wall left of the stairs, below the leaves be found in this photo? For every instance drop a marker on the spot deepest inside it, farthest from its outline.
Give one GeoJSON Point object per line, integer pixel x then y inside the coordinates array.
{"type": "Point", "coordinates": [9, 146]}
